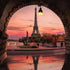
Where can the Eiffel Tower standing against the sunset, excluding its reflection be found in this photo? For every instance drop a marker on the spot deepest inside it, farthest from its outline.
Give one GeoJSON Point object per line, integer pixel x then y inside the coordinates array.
{"type": "Point", "coordinates": [35, 28]}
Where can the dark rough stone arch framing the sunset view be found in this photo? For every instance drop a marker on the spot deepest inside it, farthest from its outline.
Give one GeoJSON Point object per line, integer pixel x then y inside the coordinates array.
{"type": "Point", "coordinates": [58, 6]}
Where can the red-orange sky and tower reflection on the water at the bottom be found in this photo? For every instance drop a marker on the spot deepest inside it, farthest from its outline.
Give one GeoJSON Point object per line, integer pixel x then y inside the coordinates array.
{"type": "Point", "coordinates": [35, 62]}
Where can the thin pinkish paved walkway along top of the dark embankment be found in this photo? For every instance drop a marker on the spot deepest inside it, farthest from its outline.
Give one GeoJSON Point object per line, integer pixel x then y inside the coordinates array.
{"type": "Point", "coordinates": [40, 48]}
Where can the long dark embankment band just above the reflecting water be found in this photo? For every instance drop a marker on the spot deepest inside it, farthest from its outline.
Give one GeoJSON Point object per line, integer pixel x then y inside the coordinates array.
{"type": "Point", "coordinates": [36, 51]}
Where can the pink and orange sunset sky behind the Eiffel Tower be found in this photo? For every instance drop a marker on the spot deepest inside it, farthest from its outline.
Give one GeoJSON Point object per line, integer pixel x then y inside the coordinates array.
{"type": "Point", "coordinates": [23, 20]}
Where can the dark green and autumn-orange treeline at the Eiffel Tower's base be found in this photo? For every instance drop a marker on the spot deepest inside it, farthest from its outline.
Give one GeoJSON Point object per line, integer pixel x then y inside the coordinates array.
{"type": "Point", "coordinates": [44, 38]}
